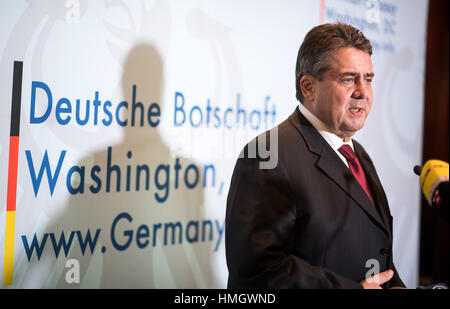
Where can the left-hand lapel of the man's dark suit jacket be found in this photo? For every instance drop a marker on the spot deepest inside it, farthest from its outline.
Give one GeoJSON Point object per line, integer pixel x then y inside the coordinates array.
{"type": "Point", "coordinates": [333, 167]}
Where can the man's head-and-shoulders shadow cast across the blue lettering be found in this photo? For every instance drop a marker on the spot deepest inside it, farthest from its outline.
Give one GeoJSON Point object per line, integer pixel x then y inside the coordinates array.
{"type": "Point", "coordinates": [149, 247]}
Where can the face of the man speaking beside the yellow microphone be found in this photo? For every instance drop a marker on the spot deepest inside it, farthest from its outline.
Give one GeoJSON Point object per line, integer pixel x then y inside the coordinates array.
{"type": "Point", "coordinates": [343, 98]}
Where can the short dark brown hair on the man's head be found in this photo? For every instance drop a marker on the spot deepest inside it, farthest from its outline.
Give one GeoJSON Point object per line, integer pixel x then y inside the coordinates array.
{"type": "Point", "coordinates": [319, 43]}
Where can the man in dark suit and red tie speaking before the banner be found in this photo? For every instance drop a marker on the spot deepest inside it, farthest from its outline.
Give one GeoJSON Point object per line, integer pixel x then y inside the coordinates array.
{"type": "Point", "coordinates": [319, 217]}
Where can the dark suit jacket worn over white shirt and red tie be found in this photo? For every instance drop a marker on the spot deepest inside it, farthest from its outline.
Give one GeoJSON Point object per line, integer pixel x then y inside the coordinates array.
{"type": "Point", "coordinates": [307, 223]}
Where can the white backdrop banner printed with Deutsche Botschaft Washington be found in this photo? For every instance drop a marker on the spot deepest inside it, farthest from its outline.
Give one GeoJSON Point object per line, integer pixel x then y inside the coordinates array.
{"type": "Point", "coordinates": [132, 116]}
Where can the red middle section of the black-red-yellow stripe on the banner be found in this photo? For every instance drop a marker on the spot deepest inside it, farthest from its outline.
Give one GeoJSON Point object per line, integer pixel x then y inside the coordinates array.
{"type": "Point", "coordinates": [12, 173]}
